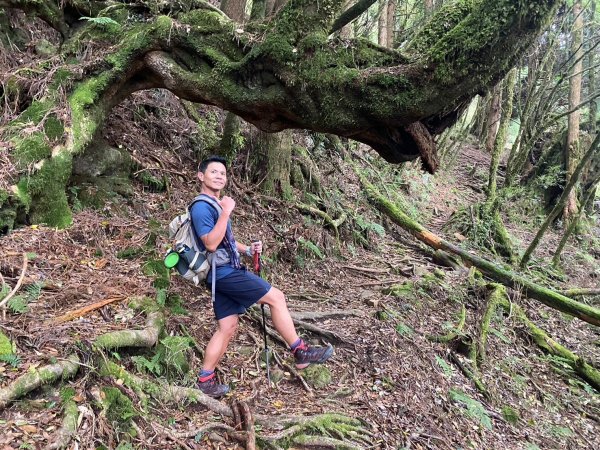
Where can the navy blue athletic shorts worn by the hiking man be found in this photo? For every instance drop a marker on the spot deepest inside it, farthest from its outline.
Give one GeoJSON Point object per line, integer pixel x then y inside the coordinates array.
{"type": "Point", "coordinates": [237, 292]}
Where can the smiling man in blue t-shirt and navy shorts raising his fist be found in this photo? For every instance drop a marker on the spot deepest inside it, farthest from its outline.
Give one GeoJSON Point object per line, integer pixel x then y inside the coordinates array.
{"type": "Point", "coordinates": [237, 289]}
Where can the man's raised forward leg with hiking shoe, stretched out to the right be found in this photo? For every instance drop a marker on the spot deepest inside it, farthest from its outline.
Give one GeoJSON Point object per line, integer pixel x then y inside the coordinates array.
{"type": "Point", "coordinates": [282, 320]}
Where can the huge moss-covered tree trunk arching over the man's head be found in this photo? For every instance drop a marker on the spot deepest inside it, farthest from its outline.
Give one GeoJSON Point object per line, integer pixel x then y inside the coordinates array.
{"type": "Point", "coordinates": [282, 73]}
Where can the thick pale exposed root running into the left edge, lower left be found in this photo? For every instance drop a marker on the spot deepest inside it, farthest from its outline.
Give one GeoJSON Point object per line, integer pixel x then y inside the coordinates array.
{"type": "Point", "coordinates": [44, 375]}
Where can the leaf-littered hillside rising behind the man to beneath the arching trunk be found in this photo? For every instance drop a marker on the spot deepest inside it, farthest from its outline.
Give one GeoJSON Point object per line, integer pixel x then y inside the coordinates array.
{"type": "Point", "coordinates": [380, 292]}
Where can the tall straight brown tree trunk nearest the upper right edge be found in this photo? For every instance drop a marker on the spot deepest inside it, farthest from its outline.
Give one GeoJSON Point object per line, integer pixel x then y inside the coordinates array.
{"type": "Point", "coordinates": [572, 144]}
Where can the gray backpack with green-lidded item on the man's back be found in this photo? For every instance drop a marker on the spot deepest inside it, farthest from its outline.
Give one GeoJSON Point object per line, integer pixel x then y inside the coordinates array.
{"type": "Point", "coordinates": [185, 255]}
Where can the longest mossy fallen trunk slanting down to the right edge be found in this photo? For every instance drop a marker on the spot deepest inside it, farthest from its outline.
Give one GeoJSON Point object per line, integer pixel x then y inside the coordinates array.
{"type": "Point", "coordinates": [508, 278]}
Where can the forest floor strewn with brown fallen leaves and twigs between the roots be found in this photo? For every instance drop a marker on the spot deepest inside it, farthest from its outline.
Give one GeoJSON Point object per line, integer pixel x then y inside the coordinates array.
{"type": "Point", "coordinates": [385, 371]}
